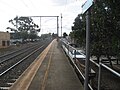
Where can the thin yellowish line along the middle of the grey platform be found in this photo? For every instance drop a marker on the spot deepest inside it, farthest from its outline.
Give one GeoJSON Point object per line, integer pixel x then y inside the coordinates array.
{"type": "Point", "coordinates": [47, 70]}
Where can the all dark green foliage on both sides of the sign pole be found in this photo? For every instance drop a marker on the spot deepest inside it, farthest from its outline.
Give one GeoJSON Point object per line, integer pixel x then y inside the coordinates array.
{"type": "Point", "coordinates": [105, 28]}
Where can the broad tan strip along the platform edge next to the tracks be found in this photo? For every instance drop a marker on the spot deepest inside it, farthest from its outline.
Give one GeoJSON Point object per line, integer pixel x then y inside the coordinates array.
{"type": "Point", "coordinates": [26, 78]}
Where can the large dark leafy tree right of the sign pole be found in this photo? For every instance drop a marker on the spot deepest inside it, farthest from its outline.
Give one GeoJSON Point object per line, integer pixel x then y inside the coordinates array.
{"type": "Point", "coordinates": [104, 30]}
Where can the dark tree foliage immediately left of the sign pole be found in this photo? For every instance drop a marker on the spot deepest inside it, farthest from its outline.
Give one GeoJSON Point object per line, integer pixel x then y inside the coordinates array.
{"type": "Point", "coordinates": [78, 30]}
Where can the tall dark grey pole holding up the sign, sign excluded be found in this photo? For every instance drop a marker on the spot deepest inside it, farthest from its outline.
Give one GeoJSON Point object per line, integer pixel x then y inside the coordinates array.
{"type": "Point", "coordinates": [87, 62]}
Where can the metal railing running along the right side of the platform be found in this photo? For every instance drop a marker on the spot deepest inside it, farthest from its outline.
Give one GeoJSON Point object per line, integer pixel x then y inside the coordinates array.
{"type": "Point", "coordinates": [68, 49]}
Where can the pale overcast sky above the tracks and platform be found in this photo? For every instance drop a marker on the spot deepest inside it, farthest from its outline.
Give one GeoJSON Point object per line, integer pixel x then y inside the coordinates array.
{"type": "Point", "coordinates": [69, 9]}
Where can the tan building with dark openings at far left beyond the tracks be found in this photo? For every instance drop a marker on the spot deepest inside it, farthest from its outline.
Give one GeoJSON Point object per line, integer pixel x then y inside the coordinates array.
{"type": "Point", "coordinates": [4, 39]}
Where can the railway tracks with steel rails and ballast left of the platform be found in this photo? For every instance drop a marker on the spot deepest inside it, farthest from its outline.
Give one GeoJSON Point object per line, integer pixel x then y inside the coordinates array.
{"type": "Point", "coordinates": [16, 63]}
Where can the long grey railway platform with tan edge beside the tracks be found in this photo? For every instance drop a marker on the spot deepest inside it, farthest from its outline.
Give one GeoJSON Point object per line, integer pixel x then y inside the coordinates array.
{"type": "Point", "coordinates": [50, 71]}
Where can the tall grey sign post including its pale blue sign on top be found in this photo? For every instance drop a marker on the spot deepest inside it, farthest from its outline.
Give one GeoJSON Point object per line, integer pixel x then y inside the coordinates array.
{"type": "Point", "coordinates": [86, 9]}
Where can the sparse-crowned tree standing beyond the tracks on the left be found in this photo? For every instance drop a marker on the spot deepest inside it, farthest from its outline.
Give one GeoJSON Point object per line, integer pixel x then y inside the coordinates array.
{"type": "Point", "coordinates": [25, 26]}
